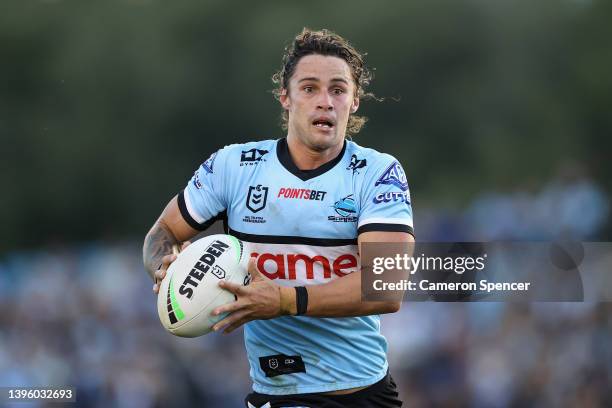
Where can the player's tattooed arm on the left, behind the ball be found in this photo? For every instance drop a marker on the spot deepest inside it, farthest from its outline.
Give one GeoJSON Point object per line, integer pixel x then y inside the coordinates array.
{"type": "Point", "coordinates": [169, 229]}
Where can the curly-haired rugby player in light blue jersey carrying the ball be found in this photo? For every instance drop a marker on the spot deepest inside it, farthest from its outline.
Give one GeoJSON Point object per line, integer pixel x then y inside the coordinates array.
{"type": "Point", "coordinates": [305, 203]}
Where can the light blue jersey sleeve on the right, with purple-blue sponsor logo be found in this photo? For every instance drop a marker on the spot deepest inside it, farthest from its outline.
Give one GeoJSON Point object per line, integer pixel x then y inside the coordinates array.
{"type": "Point", "coordinates": [385, 199]}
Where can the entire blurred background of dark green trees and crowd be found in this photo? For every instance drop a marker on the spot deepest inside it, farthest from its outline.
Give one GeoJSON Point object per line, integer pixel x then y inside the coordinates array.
{"type": "Point", "coordinates": [499, 111]}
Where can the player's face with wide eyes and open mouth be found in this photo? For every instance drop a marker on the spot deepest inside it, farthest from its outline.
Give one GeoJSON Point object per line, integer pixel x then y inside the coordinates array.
{"type": "Point", "coordinates": [320, 98]}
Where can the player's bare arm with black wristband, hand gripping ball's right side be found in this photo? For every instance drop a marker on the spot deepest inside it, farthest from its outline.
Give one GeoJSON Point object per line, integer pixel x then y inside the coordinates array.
{"type": "Point", "coordinates": [264, 299]}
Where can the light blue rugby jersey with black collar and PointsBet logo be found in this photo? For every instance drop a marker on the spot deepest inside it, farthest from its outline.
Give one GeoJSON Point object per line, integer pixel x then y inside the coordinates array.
{"type": "Point", "coordinates": [302, 227]}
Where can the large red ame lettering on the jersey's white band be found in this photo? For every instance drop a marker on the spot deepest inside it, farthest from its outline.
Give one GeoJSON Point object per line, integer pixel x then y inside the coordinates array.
{"type": "Point", "coordinates": [288, 266]}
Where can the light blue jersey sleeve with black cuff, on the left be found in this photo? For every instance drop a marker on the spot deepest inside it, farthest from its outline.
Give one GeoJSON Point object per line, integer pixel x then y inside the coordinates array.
{"type": "Point", "coordinates": [204, 199]}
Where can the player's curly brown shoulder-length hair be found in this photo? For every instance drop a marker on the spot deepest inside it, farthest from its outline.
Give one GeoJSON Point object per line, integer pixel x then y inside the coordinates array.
{"type": "Point", "coordinates": [328, 43]}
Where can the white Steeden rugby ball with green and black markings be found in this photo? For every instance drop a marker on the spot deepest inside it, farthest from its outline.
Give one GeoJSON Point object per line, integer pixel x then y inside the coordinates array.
{"type": "Point", "coordinates": [190, 291]}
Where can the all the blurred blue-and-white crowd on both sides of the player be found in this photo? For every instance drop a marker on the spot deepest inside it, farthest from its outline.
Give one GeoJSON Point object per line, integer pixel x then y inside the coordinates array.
{"type": "Point", "coordinates": [86, 317]}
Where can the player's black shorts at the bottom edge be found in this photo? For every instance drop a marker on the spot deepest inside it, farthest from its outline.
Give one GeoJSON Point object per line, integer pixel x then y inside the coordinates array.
{"type": "Point", "coordinates": [381, 394]}
